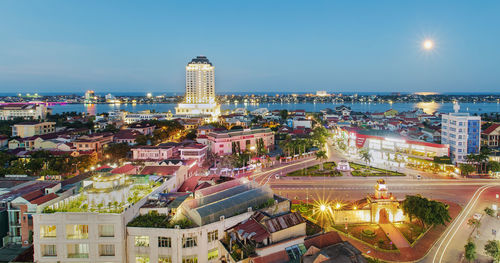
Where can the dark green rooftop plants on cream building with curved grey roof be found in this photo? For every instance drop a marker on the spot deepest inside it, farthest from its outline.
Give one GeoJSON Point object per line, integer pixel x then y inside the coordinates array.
{"type": "Point", "coordinates": [155, 220]}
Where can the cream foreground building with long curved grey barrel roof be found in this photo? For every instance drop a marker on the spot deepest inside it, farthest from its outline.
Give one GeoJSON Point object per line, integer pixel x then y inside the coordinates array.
{"type": "Point", "coordinates": [210, 212]}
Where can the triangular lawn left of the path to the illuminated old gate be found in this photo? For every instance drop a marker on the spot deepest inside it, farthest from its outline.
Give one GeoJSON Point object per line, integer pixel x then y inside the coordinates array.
{"type": "Point", "coordinates": [372, 235]}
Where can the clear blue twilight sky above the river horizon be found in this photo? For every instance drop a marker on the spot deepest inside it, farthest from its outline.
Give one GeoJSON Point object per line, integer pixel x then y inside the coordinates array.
{"type": "Point", "coordinates": [283, 46]}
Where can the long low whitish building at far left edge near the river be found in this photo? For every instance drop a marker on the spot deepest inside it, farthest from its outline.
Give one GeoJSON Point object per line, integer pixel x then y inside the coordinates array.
{"type": "Point", "coordinates": [23, 110]}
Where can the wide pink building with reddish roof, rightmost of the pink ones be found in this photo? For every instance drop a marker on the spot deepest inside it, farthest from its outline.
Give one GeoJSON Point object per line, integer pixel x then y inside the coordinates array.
{"type": "Point", "coordinates": [222, 142]}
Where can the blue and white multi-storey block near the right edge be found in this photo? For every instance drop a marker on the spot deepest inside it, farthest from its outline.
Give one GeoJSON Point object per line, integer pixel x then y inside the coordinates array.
{"type": "Point", "coordinates": [462, 132]}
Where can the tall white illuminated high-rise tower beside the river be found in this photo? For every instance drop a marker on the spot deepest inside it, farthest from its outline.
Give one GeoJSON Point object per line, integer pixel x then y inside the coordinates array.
{"type": "Point", "coordinates": [200, 89]}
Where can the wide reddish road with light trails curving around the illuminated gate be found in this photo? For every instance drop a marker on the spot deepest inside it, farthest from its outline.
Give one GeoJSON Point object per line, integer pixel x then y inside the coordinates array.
{"type": "Point", "coordinates": [472, 194]}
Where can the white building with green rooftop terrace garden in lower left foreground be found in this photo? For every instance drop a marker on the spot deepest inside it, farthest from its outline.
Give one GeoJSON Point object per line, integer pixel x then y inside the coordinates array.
{"type": "Point", "coordinates": [95, 231]}
